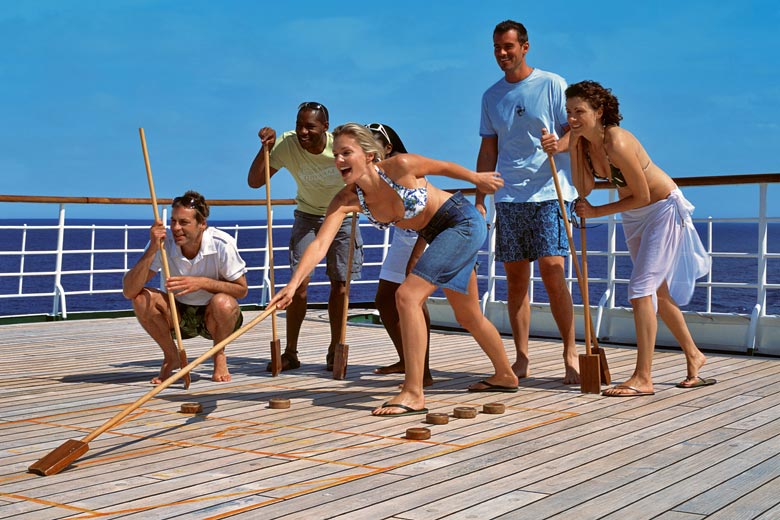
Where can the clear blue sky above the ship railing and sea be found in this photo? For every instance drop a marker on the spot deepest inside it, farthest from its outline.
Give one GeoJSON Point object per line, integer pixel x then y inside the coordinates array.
{"type": "Point", "coordinates": [698, 82]}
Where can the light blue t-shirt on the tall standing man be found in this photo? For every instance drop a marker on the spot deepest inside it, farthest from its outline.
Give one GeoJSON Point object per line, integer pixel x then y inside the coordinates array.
{"type": "Point", "coordinates": [516, 114]}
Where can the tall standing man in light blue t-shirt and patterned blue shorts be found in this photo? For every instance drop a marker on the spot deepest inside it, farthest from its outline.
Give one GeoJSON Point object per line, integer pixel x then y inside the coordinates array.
{"type": "Point", "coordinates": [529, 224]}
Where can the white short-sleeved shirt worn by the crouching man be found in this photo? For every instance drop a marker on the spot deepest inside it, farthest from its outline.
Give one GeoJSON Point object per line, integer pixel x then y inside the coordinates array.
{"type": "Point", "coordinates": [217, 259]}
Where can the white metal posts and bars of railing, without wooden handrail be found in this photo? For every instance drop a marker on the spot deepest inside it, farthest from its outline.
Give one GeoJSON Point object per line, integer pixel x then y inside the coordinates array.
{"type": "Point", "coordinates": [60, 290]}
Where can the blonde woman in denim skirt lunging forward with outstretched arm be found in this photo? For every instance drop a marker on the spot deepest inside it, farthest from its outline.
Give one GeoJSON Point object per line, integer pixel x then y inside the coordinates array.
{"type": "Point", "coordinates": [396, 192]}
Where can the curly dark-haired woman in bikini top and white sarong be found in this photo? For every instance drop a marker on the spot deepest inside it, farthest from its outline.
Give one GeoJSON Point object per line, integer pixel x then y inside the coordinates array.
{"type": "Point", "coordinates": [667, 253]}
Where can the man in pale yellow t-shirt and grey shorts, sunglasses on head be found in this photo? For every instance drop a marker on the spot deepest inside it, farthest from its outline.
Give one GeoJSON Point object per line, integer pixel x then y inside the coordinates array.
{"type": "Point", "coordinates": [307, 153]}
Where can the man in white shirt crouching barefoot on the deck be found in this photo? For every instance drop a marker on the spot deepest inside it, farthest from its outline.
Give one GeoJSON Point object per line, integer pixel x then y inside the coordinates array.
{"type": "Point", "coordinates": [207, 278]}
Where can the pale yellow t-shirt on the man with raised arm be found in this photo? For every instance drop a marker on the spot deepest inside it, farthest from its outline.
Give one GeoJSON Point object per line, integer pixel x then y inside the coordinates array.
{"type": "Point", "coordinates": [317, 177]}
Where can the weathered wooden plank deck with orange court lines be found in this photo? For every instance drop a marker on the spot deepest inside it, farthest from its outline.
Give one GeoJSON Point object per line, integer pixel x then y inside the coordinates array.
{"type": "Point", "coordinates": [712, 452]}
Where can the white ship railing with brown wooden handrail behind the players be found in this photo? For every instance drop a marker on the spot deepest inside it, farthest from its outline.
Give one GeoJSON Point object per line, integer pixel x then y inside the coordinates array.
{"type": "Point", "coordinates": [606, 285]}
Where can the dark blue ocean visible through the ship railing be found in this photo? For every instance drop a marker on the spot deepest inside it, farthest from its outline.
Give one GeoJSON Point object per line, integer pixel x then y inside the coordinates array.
{"type": "Point", "coordinates": [740, 238]}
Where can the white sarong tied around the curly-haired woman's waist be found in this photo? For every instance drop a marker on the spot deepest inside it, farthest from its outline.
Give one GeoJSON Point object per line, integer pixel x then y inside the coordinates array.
{"type": "Point", "coordinates": [664, 245]}
